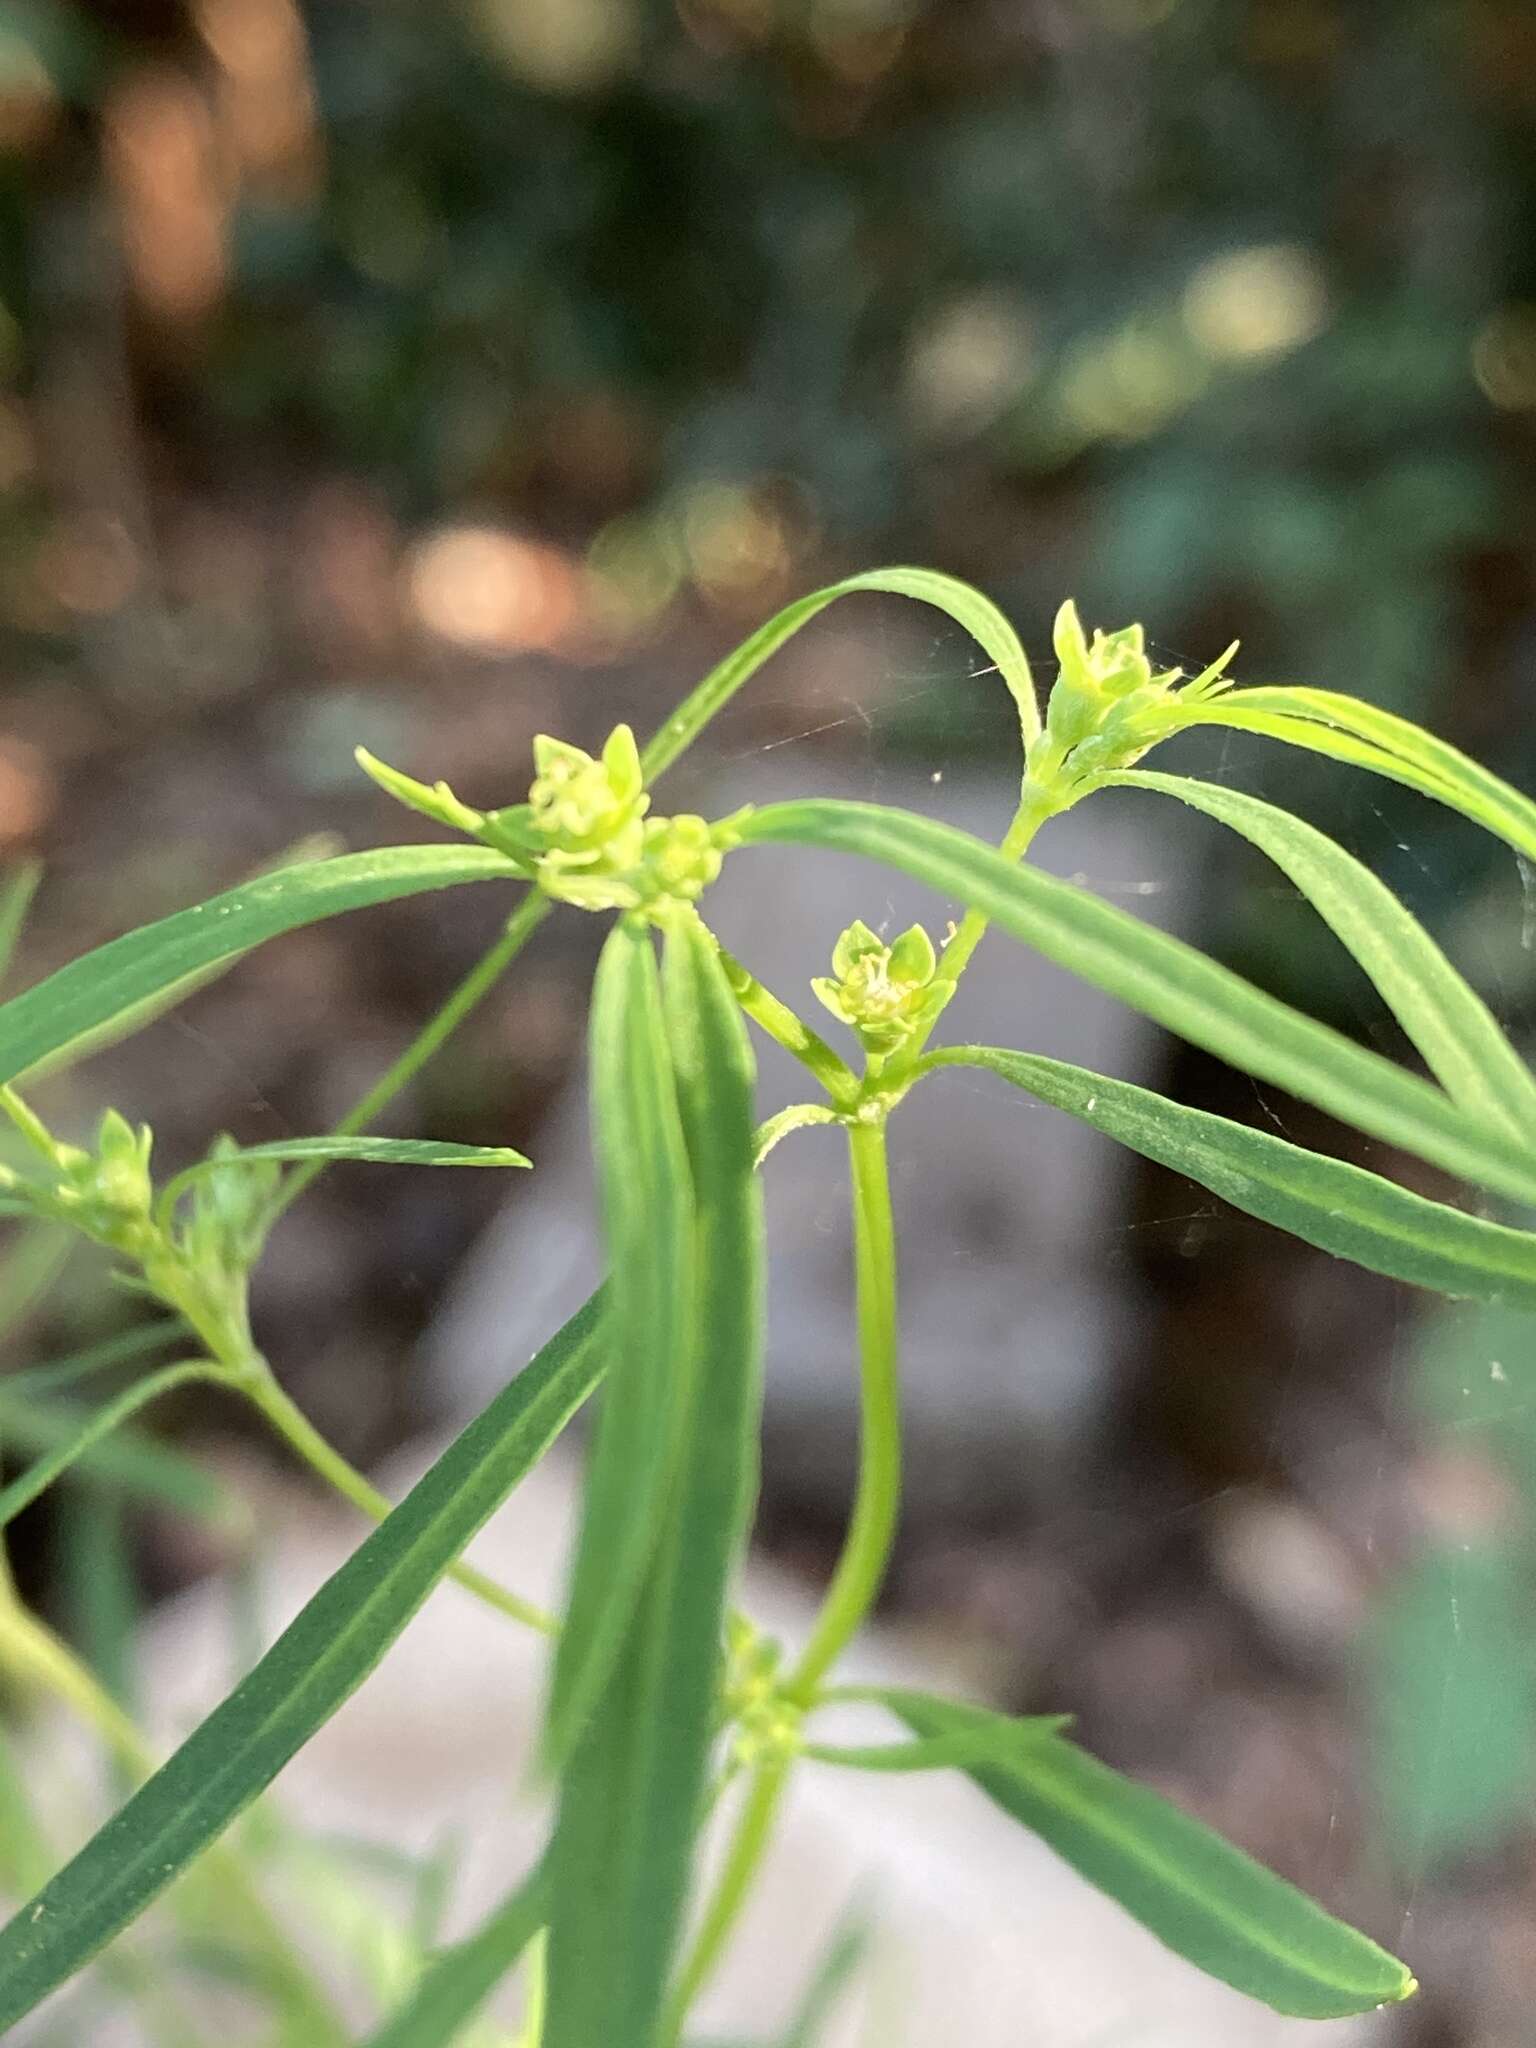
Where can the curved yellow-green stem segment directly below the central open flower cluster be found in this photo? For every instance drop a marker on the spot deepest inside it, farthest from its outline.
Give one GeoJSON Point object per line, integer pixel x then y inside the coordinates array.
{"type": "Point", "coordinates": [878, 1502]}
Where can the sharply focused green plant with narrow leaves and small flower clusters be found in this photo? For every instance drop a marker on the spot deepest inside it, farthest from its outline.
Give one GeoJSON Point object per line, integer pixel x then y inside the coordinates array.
{"type": "Point", "coordinates": [663, 1699]}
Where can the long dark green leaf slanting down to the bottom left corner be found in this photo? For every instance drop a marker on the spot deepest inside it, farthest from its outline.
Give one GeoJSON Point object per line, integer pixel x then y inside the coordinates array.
{"type": "Point", "coordinates": [314, 1666]}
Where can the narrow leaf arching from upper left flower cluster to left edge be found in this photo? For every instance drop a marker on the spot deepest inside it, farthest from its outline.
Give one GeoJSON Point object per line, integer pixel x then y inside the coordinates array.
{"type": "Point", "coordinates": [62, 1013]}
